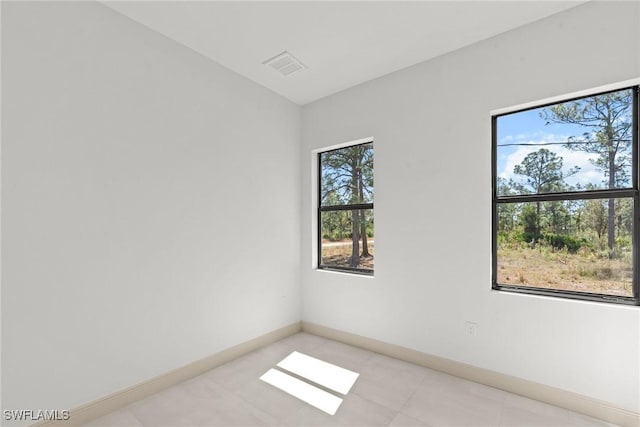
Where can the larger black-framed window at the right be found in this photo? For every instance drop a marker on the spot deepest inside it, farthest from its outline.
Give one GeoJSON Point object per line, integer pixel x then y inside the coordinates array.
{"type": "Point", "coordinates": [565, 199]}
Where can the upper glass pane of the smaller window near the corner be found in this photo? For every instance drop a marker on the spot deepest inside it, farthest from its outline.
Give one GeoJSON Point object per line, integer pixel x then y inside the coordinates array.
{"type": "Point", "coordinates": [347, 176]}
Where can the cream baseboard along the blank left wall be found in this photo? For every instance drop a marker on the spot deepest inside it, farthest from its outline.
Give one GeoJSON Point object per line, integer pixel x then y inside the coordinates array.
{"type": "Point", "coordinates": [90, 411]}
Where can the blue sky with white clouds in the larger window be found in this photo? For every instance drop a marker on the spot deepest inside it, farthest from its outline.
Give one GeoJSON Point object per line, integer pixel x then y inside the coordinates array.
{"type": "Point", "coordinates": [526, 129]}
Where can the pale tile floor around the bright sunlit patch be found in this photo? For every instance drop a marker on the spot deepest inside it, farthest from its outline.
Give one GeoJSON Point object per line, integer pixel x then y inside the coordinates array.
{"type": "Point", "coordinates": [389, 392]}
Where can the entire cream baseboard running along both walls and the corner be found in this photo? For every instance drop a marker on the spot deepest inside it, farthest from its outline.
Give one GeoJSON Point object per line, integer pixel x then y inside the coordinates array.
{"type": "Point", "coordinates": [558, 397]}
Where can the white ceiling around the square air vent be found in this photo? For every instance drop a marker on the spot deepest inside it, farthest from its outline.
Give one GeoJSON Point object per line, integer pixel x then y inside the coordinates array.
{"type": "Point", "coordinates": [343, 43]}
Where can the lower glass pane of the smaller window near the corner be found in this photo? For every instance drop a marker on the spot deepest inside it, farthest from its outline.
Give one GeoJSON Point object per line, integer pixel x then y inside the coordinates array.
{"type": "Point", "coordinates": [347, 239]}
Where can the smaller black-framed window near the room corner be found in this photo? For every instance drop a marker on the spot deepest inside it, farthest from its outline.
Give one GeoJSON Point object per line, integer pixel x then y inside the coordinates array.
{"type": "Point", "coordinates": [345, 209]}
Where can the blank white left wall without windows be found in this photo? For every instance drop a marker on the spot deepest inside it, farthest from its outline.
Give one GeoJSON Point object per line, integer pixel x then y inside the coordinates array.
{"type": "Point", "coordinates": [151, 205]}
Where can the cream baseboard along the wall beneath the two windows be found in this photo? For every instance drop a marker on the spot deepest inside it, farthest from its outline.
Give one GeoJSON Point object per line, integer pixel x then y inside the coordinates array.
{"type": "Point", "coordinates": [554, 396]}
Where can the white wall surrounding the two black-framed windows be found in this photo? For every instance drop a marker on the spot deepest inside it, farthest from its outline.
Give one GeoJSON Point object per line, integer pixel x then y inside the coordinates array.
{"type": "Point", "coordinates": [431, 125]}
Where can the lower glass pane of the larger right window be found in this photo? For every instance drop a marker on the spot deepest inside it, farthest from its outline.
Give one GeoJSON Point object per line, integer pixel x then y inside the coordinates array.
{"type": "Point", "coordinates": [574, 245]}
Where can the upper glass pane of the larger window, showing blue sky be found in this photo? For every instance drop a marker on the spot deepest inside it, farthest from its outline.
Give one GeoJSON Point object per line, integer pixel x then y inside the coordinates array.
{"type": "Point", "coordinates": [578, 145]}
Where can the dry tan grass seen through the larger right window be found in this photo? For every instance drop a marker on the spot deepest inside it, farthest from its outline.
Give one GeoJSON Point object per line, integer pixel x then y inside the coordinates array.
{"type": "Point", "coordinates": [542, 268]}
